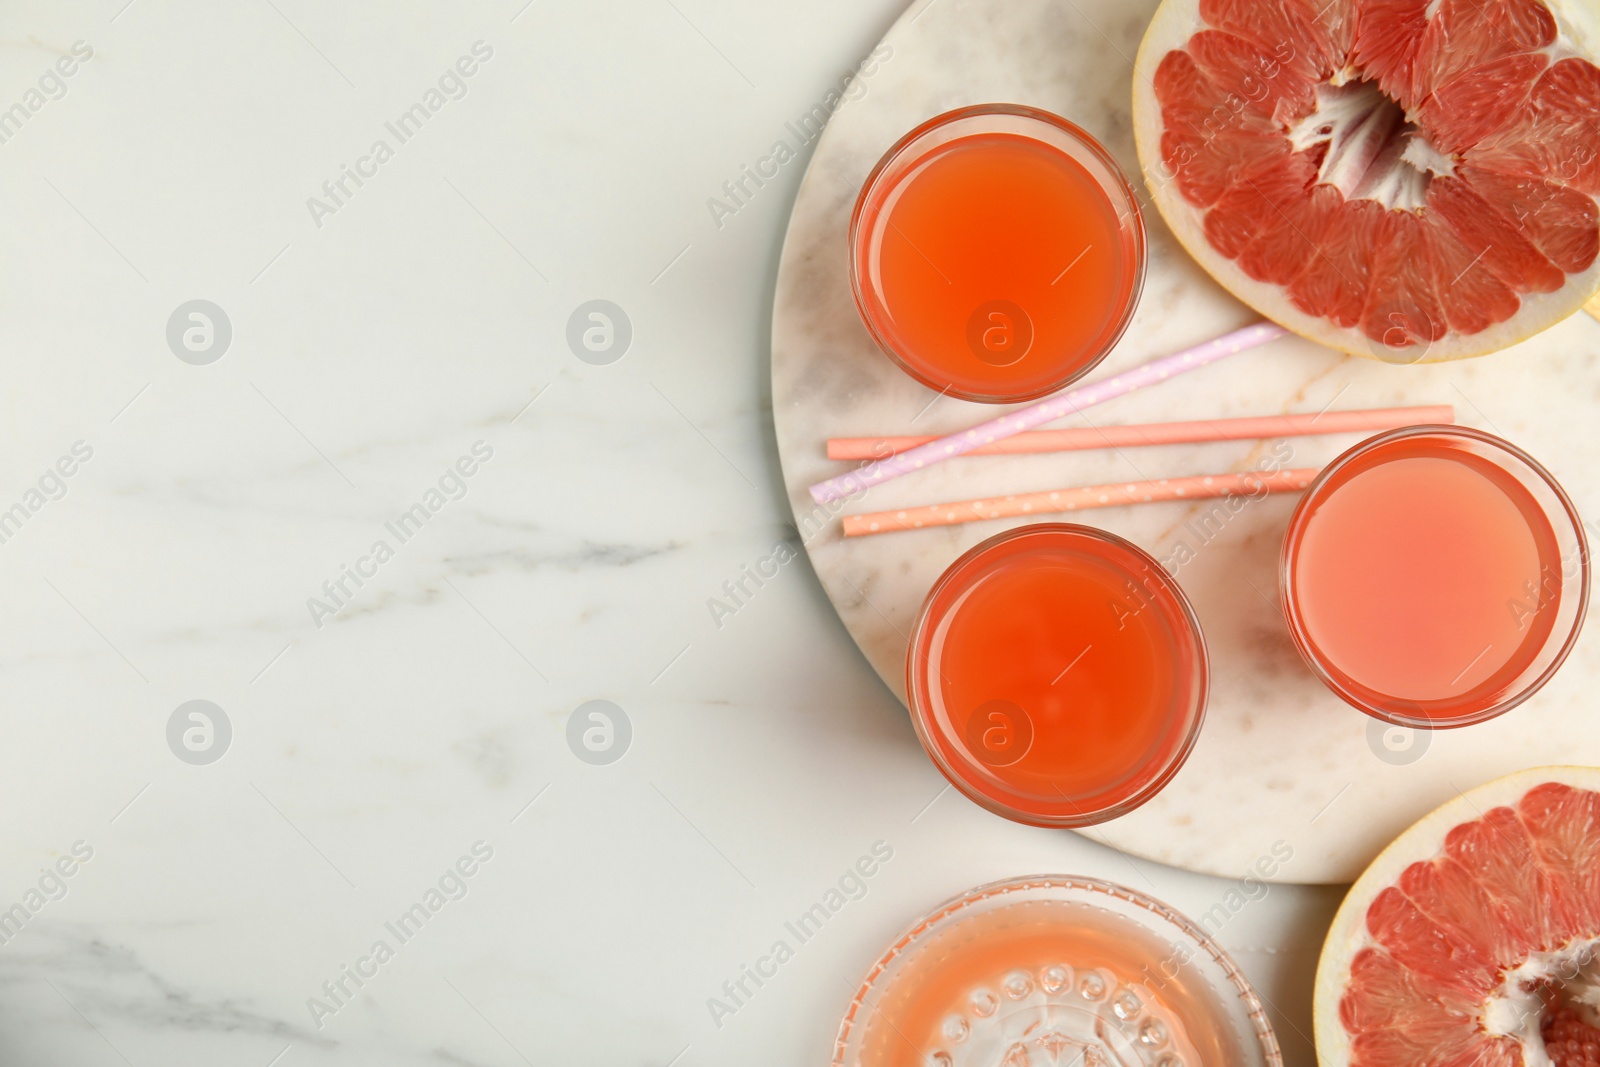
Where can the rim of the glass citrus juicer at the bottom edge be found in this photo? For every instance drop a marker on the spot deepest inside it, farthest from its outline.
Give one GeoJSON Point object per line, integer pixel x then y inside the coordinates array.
{"type": "Point", "coordinates": [950, 911]}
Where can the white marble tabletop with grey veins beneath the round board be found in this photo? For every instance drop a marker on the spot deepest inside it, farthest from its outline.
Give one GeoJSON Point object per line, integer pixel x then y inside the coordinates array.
{"type": "Point", "coordinates": [372, 753]}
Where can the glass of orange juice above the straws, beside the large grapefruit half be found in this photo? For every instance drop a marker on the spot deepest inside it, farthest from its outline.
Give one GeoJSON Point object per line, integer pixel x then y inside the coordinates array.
{"type": "Point", "coordinates": [998, 254]}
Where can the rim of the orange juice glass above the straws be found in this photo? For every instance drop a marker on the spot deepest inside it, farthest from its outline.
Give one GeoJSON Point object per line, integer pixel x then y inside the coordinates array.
{"type": "Point", "coordinates": [1090, 143]}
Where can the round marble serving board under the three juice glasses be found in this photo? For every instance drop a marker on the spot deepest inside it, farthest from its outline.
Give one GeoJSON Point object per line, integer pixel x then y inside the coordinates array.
{"type": "Point", "coordinates": [1281, 762]}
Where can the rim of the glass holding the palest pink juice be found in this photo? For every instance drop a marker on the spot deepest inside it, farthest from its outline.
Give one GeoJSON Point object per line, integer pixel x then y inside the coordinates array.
{"type": "Point", "coordinates": [1295, 618]}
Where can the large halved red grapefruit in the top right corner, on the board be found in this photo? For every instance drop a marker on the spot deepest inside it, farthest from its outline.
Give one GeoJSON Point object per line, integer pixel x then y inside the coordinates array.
{"type": "Point", "coordinates": [1412, 180]}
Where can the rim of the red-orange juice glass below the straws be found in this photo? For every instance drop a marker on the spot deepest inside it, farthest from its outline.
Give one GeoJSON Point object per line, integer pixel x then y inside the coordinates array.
{"type": "Point", "coordinates": [918, 697]}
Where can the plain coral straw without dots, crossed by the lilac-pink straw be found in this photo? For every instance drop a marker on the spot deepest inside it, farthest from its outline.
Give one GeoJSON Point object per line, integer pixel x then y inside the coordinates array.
{"type": "Point", "coordinates": [1370, 422]}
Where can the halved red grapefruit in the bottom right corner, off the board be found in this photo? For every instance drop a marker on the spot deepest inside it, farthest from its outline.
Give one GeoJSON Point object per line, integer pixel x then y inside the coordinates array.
{"type": "Point", "coordinates": [1474, 940]}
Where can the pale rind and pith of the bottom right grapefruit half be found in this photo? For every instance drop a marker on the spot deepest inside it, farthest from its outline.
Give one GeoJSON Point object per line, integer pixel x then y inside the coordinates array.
{"type": "Point", "coordinates": [1423, 841]}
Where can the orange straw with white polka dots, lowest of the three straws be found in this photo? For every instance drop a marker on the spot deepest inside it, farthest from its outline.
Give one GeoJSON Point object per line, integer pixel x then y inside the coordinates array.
{"type": "Point", "coordinates": [1249, 484]}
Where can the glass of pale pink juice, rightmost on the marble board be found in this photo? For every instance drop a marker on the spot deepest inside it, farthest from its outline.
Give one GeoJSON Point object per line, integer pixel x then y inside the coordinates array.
{"type": "Point", "coordinates": [1436, 577]}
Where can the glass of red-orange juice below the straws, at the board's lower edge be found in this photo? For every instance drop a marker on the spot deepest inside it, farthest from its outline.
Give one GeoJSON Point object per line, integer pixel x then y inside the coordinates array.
{"type": "Point", "coordinates": [1058, 676]}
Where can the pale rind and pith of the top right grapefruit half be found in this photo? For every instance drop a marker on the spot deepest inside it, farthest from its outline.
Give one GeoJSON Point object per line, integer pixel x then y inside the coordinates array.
{"type": "Point", "coordinates": [1172, 28]}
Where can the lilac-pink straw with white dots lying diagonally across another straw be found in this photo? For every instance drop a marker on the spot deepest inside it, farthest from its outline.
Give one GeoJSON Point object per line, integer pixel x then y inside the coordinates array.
{"type": "Point", "coordinates": [1047, 410]}
